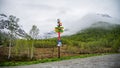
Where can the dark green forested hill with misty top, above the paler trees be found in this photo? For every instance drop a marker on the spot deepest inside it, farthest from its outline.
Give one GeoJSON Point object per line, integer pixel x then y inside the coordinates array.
{"type": "Point", "coordinates": [99, 30]}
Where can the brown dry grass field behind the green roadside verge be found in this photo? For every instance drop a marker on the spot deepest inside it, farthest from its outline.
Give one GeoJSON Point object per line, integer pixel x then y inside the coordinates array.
{"type": "Point", "coordinates": [42, 53]}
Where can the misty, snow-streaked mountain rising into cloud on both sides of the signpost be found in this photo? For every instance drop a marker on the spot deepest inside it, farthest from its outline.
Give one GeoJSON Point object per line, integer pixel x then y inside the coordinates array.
{"type": "Point", "coordinates": [89, 20]}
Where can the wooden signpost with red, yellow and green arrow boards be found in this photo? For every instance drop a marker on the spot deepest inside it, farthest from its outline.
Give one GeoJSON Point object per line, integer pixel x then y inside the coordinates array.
{"type": "Point", "coordinates": [59, 30]}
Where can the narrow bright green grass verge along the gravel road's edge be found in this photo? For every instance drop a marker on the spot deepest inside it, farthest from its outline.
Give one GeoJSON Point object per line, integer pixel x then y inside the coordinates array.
{"type": "Point", "coordinates": [11, 63]}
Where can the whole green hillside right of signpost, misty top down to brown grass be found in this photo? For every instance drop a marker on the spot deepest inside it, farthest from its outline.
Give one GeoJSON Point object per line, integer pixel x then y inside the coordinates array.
{"type": "Point", "coordinates": [99, 35]}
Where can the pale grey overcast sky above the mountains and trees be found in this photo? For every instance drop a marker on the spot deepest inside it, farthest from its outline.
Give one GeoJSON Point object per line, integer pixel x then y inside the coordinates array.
{"type": "Point", "coordinates": [44, 13]}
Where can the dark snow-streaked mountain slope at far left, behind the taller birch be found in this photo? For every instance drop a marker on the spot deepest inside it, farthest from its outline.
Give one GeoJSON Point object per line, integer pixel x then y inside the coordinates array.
{"type": "Point", "coordinates": [8, 24]}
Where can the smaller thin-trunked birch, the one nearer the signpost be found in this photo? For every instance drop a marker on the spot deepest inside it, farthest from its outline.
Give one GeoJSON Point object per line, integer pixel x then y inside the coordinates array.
{"type": "Point", "coordinates": [34, 34]}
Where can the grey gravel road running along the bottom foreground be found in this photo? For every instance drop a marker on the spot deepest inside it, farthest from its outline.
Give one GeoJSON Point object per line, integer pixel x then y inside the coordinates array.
{"type": "Point", "coordinates": [106, 61]}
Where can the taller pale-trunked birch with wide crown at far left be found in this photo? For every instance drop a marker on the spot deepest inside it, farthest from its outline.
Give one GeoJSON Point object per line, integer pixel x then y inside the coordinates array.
{"type": "Point", "coordinates": [9, 23]}
